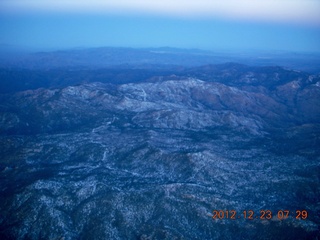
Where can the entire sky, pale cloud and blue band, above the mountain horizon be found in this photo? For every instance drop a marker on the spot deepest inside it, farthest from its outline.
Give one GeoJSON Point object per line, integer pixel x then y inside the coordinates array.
{"type": "Point", "coordinates": [288, 25]}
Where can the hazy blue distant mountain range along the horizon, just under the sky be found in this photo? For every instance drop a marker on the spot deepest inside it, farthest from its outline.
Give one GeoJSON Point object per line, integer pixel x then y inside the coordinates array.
{"type": "Point", "coordinates": [93, 58]}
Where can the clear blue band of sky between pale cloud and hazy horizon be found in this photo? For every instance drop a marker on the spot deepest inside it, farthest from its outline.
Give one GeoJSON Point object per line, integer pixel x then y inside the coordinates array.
{"type": "Point", "coordinates": [42, 31]}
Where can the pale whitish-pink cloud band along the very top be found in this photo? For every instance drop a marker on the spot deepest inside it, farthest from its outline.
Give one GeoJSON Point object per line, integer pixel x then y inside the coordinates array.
{"type": "Point", "coordinates": [298, 11]}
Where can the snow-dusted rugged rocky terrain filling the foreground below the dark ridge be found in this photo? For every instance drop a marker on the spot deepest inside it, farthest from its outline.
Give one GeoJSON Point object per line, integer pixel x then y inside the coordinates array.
{"type": "Point", "coordinates": [153, 159]}
